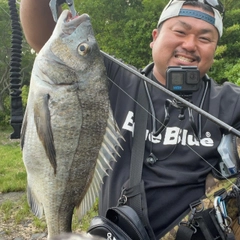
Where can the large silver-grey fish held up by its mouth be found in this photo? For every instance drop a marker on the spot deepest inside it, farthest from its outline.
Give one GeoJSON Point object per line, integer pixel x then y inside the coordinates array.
{"type": "Point", "coordinates": [67, 121]}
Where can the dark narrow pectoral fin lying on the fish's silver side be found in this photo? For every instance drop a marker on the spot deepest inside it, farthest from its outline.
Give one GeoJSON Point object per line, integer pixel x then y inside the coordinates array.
{"type": "Point", "coordinates": [42, 120]}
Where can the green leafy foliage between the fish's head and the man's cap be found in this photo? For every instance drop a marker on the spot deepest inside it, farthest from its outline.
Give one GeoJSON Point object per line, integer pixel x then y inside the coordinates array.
{"type": "Point", "coordinates": [124, 28]}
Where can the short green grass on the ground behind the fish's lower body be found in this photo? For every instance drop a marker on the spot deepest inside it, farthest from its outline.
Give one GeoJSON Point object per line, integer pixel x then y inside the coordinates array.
{"type": "Point", "coordinates": [13, 179]}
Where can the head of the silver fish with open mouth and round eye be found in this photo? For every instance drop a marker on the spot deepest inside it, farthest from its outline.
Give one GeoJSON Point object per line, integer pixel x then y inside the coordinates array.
{"type": "Point", "coordinates": [72, 50]}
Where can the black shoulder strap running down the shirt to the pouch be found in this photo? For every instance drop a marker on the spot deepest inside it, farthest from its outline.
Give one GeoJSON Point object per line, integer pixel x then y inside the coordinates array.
{"type": "Point", "coordinates": [136, 189]}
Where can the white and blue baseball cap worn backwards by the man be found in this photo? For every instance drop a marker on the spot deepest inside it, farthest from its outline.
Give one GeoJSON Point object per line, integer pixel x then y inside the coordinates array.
{"type": "Point", "coordinates": [174, 9]}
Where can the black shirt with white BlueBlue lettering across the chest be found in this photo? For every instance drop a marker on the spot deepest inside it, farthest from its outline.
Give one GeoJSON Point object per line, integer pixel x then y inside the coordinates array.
{"type": "Point", "coordinates": [178, 176]}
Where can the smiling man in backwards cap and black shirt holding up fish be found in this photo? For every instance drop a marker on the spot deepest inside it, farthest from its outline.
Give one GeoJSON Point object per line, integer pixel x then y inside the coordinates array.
{"type": "Point", "coordinates": [187, 35]}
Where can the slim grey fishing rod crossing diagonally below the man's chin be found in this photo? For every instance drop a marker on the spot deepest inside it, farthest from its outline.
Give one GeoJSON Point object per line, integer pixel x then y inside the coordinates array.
{"type": "Point", "coordinates": [222, 124]}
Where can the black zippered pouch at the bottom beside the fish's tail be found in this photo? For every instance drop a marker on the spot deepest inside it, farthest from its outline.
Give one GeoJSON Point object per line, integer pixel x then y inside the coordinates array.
{"type": "Point", "coordinates": [121, 223]}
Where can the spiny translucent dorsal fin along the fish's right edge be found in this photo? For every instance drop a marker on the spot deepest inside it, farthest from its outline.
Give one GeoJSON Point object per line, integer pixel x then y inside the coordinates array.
{"type": "Point", "coordinates": [108, 151]}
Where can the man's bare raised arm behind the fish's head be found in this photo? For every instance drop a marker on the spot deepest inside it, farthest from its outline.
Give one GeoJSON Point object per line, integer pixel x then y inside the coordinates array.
{"type": "Point", "coordinates": [37, 22]}
